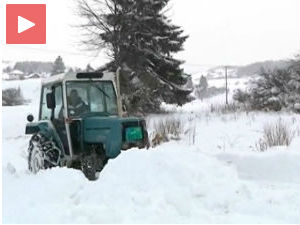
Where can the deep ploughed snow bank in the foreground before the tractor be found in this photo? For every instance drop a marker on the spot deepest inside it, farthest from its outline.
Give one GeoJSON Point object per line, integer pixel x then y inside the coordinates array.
{"type": "Point", "coordinates": [169, 184]}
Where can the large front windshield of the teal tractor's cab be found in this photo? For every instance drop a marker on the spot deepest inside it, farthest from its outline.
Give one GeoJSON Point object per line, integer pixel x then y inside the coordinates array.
{"type": "Point", "coordinates": [91, 97]}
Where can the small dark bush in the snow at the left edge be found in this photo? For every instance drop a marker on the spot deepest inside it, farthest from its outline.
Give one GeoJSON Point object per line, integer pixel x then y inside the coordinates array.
{"type": "Point", "coordinates": [12, 96]}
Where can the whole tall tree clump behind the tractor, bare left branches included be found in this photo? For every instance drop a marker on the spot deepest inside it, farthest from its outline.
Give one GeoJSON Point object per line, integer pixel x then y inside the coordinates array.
{"type": "Point", "coordinates": [141, 41]}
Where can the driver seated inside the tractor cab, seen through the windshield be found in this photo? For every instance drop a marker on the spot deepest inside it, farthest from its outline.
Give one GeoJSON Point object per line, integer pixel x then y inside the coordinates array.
{"type": "Point", "coordinates": [76, 105]}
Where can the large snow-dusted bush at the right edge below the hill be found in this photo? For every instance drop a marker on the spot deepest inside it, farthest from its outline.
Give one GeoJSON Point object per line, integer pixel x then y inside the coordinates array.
{"type": "Point", "coordinates": [274, 90]}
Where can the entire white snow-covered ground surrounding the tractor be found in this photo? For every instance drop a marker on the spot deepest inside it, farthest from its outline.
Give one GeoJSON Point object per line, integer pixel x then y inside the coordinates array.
{"type": "Point", "coordinates": [217, 177]}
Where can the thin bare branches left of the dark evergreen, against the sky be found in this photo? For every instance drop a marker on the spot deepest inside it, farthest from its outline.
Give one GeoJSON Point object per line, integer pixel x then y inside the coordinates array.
{"type": "Point", "coordinates": [101, 29]}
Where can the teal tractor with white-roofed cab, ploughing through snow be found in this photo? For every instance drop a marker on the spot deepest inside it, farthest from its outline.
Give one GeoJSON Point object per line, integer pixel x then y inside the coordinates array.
{"type": "Point", "coordinates": [81, 124]}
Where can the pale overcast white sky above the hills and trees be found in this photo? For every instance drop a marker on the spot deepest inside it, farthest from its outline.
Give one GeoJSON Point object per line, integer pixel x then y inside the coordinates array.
{"type": "Point", "coordinates": [221, 32]}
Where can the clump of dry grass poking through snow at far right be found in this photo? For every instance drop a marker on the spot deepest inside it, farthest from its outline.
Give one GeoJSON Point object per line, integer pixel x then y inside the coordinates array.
{"type": "Point", "coordinates": [278, 134]}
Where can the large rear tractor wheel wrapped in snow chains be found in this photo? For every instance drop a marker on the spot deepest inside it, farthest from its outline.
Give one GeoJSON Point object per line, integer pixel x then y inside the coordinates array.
{"type": "Point", "coordinates": [43, 154]}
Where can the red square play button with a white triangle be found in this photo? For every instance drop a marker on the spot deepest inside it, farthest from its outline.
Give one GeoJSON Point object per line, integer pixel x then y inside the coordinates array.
{"type": "Point", "coordinates": [25, 24]}
